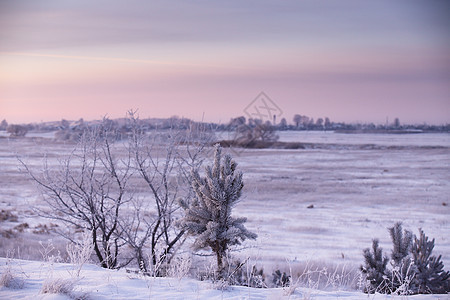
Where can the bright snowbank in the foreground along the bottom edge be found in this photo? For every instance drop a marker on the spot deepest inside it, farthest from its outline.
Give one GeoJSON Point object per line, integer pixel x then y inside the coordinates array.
{"type": "Point", "coordinates": [94, 282]}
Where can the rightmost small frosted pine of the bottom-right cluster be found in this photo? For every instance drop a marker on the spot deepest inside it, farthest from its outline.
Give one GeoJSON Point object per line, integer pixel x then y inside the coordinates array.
{"type": "Point", "coordinates": [430, 275]}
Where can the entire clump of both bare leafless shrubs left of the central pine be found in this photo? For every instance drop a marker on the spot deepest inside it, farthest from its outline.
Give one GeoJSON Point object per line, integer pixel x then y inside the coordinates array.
{"type": "Point", "coordinates": [89, 191]}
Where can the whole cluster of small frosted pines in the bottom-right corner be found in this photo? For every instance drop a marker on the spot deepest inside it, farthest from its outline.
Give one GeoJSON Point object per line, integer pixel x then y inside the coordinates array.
{"type": "Point", "coordinates": [413, 269]}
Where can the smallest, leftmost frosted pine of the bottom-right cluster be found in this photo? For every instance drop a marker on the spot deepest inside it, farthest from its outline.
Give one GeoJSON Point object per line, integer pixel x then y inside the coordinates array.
{"type": "Point", "coordinates": [374, 269]}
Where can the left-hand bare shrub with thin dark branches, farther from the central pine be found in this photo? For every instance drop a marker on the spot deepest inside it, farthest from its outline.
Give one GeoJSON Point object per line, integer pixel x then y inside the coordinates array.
{"type": "Point", "coordinates": [88, 190]}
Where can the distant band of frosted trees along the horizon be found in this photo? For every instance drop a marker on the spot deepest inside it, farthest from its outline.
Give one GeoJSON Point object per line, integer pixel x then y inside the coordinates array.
{"type": "Point", "coordinates": [244, 129]}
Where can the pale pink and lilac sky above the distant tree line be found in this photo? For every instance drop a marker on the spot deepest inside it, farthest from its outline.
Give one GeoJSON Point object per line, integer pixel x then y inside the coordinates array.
{"type": "Point", "coordinates": [351, 61]}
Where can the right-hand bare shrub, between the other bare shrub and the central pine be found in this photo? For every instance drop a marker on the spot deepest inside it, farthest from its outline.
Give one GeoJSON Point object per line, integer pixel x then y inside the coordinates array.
{"type": "Point", "coordinates": [163, 161]}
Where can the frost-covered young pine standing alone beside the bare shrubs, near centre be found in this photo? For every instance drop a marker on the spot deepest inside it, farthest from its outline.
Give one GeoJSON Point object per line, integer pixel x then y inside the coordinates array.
{"type": "Point", "coordinates": [208, 217]}
